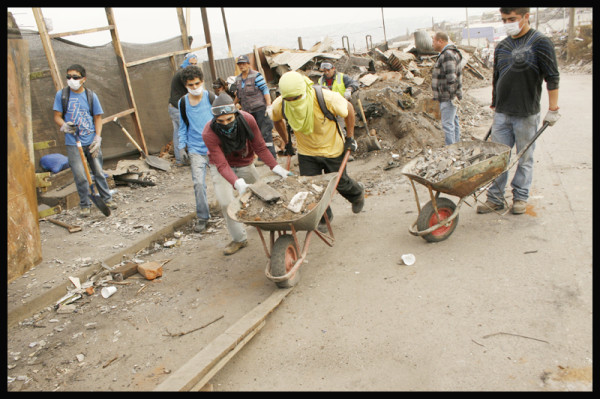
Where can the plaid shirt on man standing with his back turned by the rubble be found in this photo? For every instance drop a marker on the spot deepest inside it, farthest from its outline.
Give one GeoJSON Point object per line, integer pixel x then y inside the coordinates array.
{"type": "Point", "coordinates": [446, 76]}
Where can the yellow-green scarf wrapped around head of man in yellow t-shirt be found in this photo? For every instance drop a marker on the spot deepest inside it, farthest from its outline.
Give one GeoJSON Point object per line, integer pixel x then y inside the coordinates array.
{"type": "Point", "coordinates": [299, 113]}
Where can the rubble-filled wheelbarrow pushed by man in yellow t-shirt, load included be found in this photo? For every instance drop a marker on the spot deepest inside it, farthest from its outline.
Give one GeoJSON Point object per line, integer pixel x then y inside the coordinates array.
{"type": "Point", "coordinates": [303, 202]}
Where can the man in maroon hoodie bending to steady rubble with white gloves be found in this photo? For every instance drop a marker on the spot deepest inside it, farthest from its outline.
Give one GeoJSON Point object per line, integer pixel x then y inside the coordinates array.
{"type": "Point", "coordinates": [232, 138]}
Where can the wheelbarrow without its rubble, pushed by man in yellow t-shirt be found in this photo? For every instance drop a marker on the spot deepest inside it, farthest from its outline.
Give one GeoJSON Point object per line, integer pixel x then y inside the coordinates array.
{"type": "Point", "coordinates": [284, 252]}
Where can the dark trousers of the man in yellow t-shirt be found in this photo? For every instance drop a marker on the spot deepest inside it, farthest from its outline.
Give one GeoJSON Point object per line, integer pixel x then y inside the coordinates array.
{"type": "Point", "coordinates": [347, 187]}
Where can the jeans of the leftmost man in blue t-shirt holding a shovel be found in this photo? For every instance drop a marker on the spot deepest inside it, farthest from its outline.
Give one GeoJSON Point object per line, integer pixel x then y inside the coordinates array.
{"type": "Point", "coordinates": [95, 167]}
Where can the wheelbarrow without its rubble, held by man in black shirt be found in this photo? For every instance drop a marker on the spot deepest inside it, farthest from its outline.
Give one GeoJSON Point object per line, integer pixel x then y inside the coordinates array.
{"type": "Point", "coordinates": [438, 219]}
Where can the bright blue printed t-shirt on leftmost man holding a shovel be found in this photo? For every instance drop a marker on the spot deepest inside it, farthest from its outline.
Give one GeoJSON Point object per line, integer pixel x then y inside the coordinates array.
{"type": "Point", "coordinates": [78, 112]}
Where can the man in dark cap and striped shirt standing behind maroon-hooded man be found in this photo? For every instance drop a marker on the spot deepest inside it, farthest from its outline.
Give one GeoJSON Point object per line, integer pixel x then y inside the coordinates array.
{"type": "Point", "coordinates": [254, 97]}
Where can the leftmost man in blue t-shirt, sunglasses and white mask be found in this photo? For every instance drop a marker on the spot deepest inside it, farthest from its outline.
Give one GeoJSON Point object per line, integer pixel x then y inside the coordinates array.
{"type": "Point", "coordinates": [77, 119]}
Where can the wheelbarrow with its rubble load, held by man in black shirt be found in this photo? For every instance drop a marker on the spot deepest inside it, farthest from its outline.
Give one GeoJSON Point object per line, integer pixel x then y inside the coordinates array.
{"type": "Point", "coordinates": [461, 169]}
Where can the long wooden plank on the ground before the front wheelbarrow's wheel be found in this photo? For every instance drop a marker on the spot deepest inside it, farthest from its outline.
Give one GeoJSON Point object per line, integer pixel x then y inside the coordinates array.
{"type": "Point", "coordinates": [215, 355]}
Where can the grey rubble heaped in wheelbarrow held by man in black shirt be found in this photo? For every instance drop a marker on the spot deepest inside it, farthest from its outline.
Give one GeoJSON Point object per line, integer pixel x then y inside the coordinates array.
{"type": "Point", "coordinates": [438, 164]}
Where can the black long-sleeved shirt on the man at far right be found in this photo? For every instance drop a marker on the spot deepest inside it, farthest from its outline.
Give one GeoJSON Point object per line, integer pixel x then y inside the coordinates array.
{"type": "Point", "coordinates": [520, 67]}
